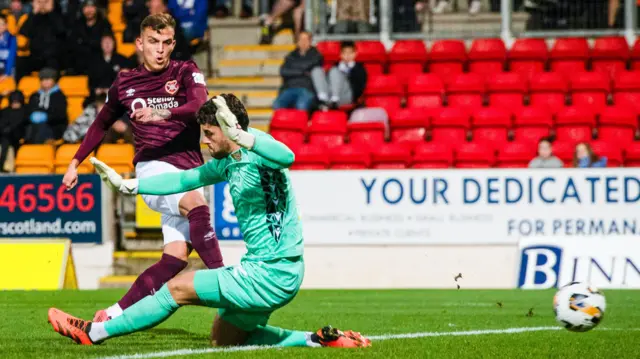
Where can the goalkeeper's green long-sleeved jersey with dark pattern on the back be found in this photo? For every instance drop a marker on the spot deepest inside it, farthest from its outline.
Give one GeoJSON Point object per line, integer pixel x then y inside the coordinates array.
{"type": "Point", "coordinates": [261, 191]}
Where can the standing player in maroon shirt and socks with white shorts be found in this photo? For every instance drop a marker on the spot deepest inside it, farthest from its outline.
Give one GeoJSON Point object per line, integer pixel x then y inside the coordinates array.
{"type": "Point", "coordinates": [162, 97]}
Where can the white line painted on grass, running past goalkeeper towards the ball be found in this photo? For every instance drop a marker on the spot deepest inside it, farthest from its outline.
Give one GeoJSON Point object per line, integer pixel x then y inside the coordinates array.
{"type": "Point", "coordinates": [182, 352]}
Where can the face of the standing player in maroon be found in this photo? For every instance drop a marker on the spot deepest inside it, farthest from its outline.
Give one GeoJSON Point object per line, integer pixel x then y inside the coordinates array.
{"type": "Point", "coordinates": [156, 47]}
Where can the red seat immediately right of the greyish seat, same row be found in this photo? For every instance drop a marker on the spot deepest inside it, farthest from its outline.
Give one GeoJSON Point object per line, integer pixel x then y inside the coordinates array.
{"type": "Point", "coordinates": [408, 126]}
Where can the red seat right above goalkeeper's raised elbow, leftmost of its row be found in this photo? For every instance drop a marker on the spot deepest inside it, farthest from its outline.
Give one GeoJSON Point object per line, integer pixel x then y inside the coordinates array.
{"type": "Point", "coordinates": [289, 126]}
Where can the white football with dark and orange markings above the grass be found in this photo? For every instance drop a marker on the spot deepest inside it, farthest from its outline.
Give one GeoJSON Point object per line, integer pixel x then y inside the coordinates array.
{"type": "Point", "coordinates": [579, 307]}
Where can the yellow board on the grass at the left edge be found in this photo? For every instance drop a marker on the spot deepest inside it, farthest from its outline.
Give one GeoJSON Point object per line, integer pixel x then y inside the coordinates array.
{"type": "Point", "coordinates": [41, 264]}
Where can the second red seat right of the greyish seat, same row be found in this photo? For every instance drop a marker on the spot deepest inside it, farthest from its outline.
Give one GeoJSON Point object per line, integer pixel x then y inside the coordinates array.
{"type": "Point", "coordinates": [450, 126]}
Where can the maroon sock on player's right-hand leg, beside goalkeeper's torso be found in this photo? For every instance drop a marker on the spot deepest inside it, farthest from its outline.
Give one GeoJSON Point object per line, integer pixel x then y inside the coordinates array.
{"type": "Point", "coordinates": [203, 238]}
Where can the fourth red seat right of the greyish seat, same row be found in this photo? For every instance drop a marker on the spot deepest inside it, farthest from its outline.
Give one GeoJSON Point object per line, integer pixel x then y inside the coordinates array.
{"type": "Point", "coordinates": [531, 124]}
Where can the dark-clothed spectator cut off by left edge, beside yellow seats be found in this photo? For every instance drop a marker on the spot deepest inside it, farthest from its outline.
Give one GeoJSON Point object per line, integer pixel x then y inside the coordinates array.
{"type": "Point", "coordinates": [12, 125]}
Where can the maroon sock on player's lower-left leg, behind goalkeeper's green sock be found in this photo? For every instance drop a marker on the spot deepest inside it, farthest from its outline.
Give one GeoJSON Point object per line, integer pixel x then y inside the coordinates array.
{"type": "Point", "coordinates": [152, 279]}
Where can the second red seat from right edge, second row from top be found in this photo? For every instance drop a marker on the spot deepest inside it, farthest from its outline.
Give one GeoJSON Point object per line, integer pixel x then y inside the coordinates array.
{"type": "Point", "coordinates": [590, 90]}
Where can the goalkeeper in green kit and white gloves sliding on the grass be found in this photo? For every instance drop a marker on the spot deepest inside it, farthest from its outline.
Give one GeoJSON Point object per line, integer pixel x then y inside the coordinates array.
{"type": "Point", "coordinates": [270, 273]}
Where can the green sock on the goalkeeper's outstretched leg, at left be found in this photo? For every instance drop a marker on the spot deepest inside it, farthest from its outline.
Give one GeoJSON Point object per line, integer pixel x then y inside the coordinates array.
{"type": "Point", "coordinates": [147, 313]}
